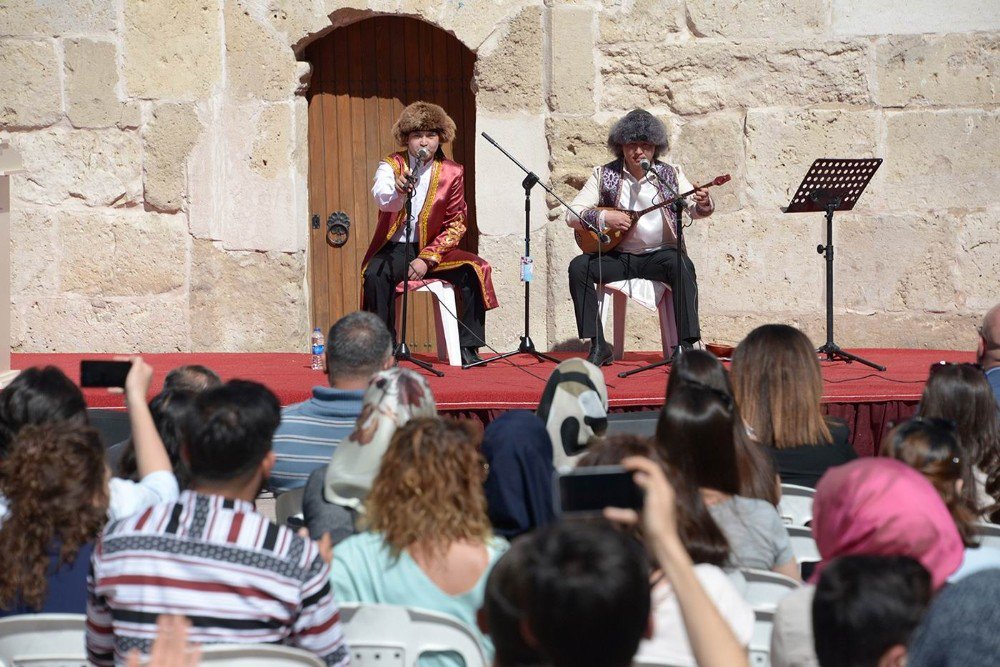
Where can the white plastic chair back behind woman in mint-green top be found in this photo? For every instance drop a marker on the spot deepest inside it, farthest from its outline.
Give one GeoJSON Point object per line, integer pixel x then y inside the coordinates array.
{"type": "Point", "coordinates": [392, 636]}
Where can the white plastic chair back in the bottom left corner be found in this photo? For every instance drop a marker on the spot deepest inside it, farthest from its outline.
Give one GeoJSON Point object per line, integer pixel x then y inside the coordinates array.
{"type": "Point", "coordinates": [43, 640]}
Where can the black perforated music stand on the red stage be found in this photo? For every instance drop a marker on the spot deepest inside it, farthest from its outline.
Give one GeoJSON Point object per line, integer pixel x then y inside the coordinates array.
{"type": "Point", "coordinates": [833, 185]}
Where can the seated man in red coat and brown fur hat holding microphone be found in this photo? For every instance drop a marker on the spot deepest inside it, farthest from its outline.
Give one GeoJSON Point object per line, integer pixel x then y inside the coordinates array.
{"type": "Point", "coordinates": [437, 226]}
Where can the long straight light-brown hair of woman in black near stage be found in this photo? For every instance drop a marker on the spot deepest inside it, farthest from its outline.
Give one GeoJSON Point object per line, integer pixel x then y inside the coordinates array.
{"type": "Point", "coordinates": [779, 387]}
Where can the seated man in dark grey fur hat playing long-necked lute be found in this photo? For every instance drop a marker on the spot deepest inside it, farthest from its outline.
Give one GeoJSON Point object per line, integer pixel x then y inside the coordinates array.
{"type": "Point", "coordinates": [648, 246]}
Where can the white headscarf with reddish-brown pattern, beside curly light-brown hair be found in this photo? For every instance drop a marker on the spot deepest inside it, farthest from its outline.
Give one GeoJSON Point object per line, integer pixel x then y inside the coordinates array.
{"type": "Point", "coordinates": [393, 398]}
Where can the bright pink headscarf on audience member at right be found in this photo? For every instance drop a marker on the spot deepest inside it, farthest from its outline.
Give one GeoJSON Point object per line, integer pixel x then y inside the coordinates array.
{"type": "Point", "coordinates": [883, 507]}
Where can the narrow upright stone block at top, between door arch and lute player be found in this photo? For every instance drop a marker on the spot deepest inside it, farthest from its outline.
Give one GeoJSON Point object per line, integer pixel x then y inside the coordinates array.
{"type": "Point", "coordinates": [572, 60]}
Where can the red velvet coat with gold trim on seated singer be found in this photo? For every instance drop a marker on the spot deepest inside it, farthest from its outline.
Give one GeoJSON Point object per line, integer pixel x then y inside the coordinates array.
{"type": "Point", "coordinates": [440, 225]}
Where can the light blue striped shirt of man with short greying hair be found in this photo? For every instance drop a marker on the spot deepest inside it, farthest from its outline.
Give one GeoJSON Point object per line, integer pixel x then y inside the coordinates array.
{"type": "Point", "coordinates": [309, 433]}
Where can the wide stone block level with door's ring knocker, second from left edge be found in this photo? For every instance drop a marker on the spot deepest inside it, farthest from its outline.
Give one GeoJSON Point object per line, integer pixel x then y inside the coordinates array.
{"type": "Point", "coordinates": [128, 253]}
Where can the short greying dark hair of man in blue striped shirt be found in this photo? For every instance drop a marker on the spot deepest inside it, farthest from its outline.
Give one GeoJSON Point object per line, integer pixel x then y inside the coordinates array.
{"type": "Point", "coordinates": [357, 345]}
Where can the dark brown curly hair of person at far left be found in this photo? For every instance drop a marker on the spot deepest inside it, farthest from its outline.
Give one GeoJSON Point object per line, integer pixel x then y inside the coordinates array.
{"type": "Point", "coordinates": [57, 488]}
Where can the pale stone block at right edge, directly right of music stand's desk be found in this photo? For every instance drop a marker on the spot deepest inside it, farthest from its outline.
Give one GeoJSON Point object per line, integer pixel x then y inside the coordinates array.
{"type": "Point", "coordinates": [940, 159]}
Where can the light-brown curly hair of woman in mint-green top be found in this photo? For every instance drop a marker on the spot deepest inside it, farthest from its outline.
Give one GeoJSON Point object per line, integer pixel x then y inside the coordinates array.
{"type": "Point", "coordinates": [429, 488]}
